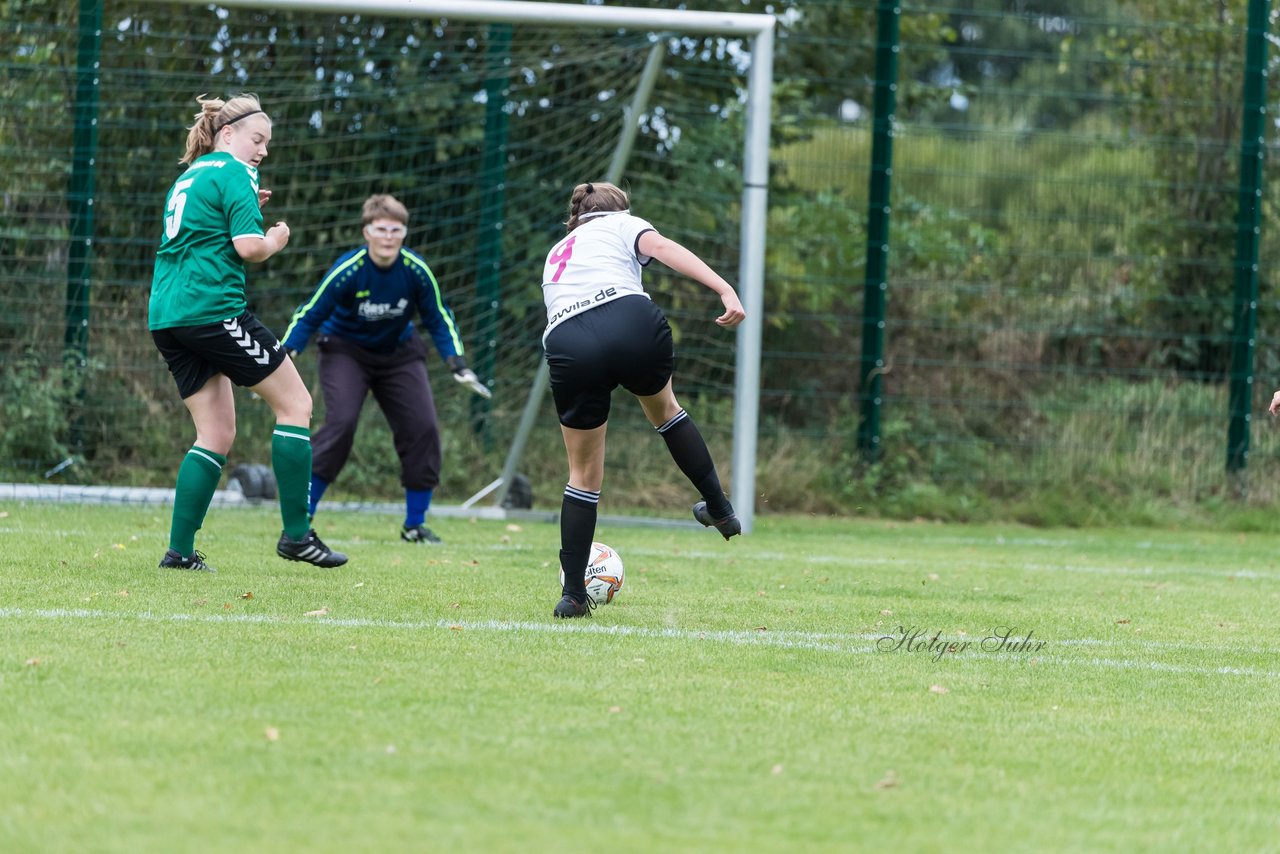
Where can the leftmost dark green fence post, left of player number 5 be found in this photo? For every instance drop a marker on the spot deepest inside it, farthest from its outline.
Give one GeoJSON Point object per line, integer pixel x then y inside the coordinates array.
{"type": "Point", "coordinates": [80, 202]}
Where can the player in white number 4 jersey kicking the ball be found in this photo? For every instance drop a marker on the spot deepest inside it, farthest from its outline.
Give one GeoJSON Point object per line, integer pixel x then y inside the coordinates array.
{"type": "Point", "coordinates": [602, 332]}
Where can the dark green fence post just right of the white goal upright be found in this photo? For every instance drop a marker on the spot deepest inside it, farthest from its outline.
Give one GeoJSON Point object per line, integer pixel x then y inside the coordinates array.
{"type": "Point", "coordinates": [876, 282]}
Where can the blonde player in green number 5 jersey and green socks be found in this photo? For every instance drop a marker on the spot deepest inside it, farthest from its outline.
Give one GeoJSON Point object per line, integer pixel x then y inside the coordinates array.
{"type": "Point", "coordinates": [202, 325]}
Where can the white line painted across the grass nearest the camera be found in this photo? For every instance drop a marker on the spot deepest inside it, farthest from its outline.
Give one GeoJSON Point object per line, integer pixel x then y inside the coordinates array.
{"type": "Point", "coordinates": [843, 645]}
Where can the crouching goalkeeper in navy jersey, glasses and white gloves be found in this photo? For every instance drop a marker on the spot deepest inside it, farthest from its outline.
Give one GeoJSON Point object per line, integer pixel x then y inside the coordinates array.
{"type": "Point", "coordinates": [364, 314]}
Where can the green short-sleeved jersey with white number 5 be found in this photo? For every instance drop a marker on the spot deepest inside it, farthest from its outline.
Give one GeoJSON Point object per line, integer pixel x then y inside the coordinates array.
{"type": "Point", "coordinates": [199, 277]}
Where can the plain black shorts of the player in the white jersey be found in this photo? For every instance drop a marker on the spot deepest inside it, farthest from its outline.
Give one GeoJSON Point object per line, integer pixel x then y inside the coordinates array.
{"type": "Point", "coordinates": [625, 342]}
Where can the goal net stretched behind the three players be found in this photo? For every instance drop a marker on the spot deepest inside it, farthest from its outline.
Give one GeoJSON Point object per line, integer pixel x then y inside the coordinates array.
{"type": "Point", "coordinates": [482, 126]}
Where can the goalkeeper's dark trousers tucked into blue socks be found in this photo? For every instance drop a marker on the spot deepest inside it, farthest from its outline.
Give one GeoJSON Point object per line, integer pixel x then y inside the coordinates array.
{"type": "Point", "coordinates": [400, 385]}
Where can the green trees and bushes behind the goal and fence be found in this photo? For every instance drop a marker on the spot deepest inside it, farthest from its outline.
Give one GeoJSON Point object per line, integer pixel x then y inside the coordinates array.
{"type": "Point", "coordinates": [1062, 246]}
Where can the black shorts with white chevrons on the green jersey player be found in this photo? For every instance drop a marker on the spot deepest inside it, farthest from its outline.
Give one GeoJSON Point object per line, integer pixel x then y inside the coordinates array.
{"type": "Point", "coordinates": [243, 349]}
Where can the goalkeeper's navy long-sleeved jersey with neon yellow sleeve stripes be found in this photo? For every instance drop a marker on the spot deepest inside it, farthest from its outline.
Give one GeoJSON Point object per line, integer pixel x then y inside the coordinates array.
{"type": "Point", "coordinates": [374, 308]}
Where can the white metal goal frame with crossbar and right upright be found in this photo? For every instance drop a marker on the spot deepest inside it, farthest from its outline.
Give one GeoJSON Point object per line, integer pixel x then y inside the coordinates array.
{"type": "Point", "coordinates": [756, 163]}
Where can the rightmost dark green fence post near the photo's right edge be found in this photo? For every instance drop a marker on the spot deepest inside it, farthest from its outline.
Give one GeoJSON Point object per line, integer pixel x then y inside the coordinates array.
{"type": "Point", "coordinates": [1249, 231]}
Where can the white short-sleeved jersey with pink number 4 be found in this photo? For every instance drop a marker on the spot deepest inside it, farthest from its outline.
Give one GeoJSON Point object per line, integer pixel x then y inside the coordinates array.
{"type": "Point", "coordinates": [597, 263]}
